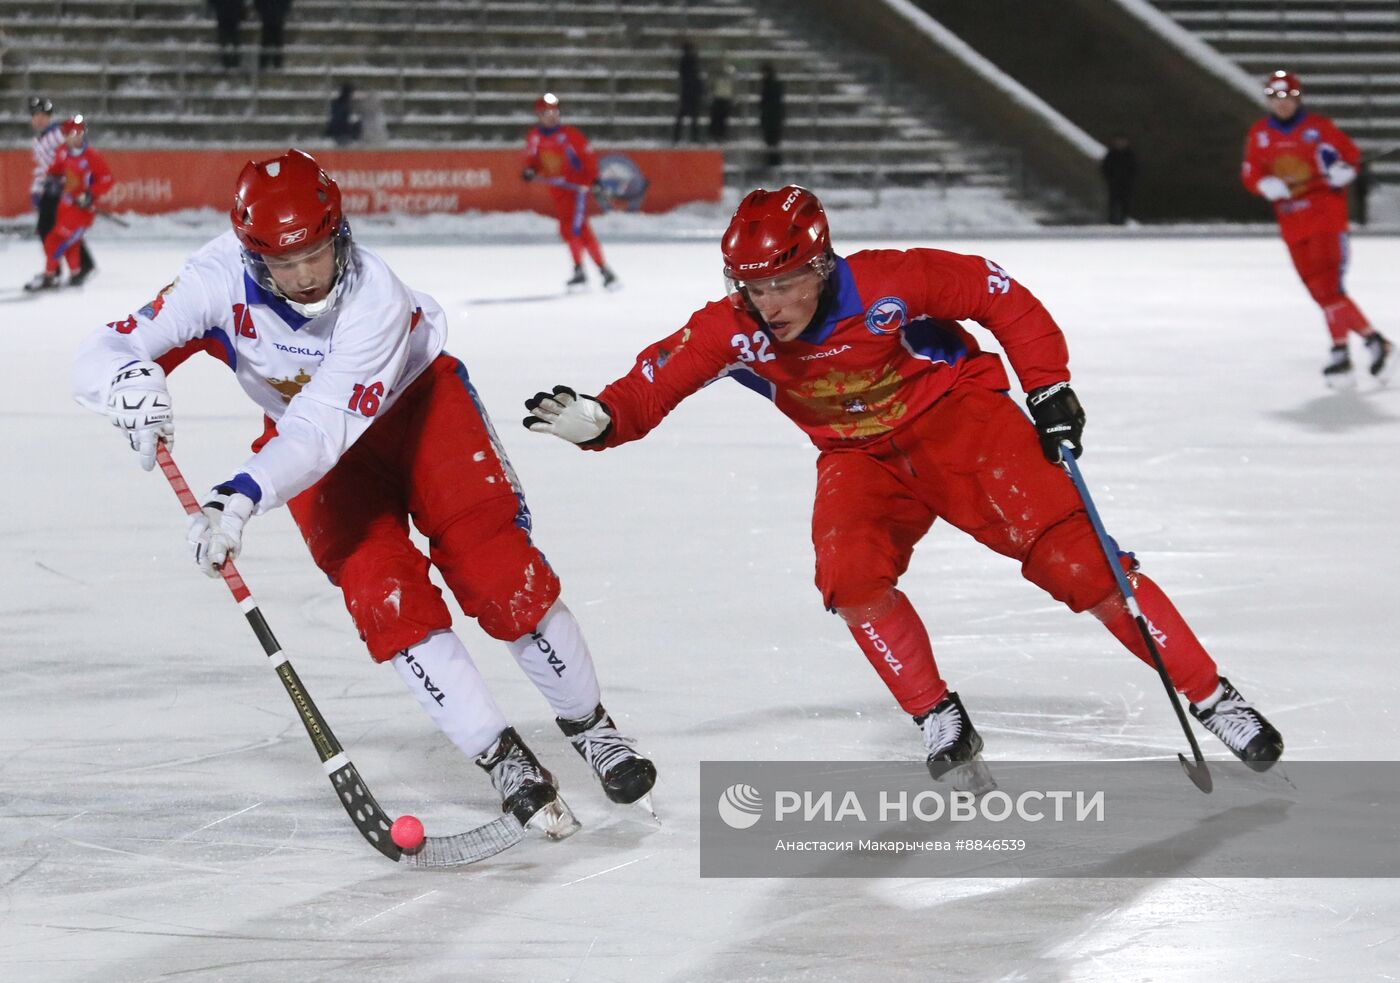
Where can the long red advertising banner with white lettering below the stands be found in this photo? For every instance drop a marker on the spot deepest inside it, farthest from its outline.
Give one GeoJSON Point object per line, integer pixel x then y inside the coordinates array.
{"type": "Point", "coordinates": [384, 181]}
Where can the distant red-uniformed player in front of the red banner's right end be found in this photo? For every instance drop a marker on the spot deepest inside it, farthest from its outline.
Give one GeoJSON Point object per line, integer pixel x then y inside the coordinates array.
{"type": "Point", "coordinates": [561, 158]}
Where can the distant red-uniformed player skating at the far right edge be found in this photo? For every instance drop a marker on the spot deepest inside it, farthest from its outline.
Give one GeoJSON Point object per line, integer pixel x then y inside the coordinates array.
{"type": "Point", "coordinates": [1304, 163]}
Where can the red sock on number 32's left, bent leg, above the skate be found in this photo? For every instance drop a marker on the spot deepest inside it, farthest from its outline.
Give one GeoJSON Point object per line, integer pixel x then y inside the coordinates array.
{"type": "Point", "coordinates": [897, 643]}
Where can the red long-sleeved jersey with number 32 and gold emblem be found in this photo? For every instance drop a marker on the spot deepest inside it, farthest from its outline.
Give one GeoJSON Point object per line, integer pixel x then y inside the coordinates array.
{"type": "Point", "coordinates": [887, 349]}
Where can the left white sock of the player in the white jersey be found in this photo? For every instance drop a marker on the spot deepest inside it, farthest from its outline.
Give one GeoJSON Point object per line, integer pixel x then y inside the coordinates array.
{"type": "Point", "coordinates": [440, 674]}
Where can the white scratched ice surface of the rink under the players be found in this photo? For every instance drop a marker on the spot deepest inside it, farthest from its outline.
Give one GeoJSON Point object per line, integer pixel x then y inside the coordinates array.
{"type": "Point", "coordinates": [163, 816]}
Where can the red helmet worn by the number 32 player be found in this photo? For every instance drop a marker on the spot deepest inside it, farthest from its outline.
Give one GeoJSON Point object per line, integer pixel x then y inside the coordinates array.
{"type": "Point", "coordinates": [775, 233]}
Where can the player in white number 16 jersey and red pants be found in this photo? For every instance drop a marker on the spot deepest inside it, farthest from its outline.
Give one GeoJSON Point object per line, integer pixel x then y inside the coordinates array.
{"type": "Point", "coordinates": [369, 425]}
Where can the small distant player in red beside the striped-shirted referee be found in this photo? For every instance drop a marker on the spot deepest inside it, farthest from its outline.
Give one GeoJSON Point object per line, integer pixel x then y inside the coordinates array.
{"type": "Point", "coordinates": [86, 179]}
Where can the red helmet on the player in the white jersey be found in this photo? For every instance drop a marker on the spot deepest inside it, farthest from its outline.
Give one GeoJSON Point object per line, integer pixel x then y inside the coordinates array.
{"type": "Point", "coordinates": [285, 204]}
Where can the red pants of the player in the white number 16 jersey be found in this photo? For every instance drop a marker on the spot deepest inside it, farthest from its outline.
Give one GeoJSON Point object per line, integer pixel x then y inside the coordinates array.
{"type": "Point", "coordinates": [435, 460]}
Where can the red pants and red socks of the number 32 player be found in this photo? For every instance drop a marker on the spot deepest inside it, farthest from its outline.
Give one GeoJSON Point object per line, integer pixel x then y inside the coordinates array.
{"type": "Point", "coordinates": [975, 461]}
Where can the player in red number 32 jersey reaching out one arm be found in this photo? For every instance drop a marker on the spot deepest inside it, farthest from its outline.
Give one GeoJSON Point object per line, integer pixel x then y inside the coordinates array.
{"type": "Point", "coordinates": [913, 424]}
